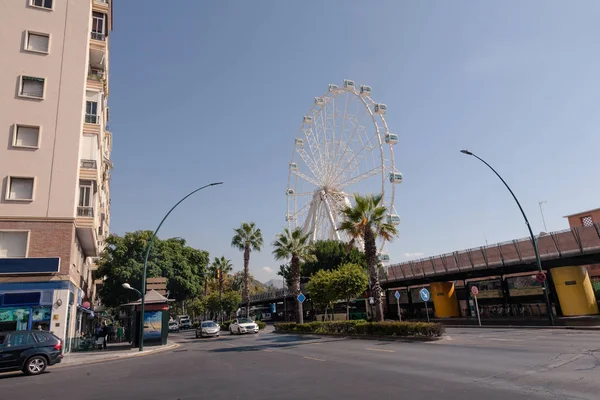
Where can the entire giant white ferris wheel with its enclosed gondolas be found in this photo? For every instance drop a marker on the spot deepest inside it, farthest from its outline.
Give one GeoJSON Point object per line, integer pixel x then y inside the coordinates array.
{"type": "Point", "coordinates": [343, 147]}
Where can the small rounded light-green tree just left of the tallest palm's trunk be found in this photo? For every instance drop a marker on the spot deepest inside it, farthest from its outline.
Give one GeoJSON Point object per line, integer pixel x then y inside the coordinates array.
{"type": "Point", "coordinates": [348, 282]}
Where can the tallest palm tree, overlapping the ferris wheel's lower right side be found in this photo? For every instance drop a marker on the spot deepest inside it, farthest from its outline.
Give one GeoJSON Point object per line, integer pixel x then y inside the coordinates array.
{"type": "Point", "coordinates": [366, 221]}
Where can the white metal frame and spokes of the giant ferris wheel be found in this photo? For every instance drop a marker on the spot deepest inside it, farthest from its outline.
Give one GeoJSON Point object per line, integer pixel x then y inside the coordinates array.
{"type": "Point", "coordinates": [327, 192]}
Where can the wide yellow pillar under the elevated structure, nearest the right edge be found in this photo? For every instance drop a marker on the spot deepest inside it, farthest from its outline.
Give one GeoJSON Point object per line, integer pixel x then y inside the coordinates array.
{"type": "Point", "coordinates": [574, 290]}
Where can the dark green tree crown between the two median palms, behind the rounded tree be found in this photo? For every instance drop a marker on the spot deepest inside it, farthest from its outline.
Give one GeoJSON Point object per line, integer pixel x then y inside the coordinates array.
{"type": "Point", "coordinates": [330, 254]}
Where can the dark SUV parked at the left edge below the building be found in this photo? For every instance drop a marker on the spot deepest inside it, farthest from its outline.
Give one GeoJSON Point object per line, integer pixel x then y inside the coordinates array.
{"type": "Point", "coordinates": [29, 351]}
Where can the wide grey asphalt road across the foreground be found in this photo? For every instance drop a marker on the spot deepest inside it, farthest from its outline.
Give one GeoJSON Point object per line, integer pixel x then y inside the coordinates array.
{"type": "Point", "coordinates": [470, 363]}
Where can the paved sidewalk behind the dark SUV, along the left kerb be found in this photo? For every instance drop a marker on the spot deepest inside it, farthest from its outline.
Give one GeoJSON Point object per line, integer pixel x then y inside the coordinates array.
{"type": "Point", "coordinates": [114, 351]}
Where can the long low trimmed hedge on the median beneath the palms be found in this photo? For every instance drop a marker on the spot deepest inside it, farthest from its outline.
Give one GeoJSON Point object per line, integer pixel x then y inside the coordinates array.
{"type": "Point", "coordinates": [363, 328]}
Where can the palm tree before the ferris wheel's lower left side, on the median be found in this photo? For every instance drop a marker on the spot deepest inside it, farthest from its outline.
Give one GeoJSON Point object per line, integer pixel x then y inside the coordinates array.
{"type": "Point", "coordinates": [294, 245]}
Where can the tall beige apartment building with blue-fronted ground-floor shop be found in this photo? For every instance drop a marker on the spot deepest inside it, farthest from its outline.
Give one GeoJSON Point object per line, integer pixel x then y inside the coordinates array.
{"type": "Point", "coordinates": [54, 160]}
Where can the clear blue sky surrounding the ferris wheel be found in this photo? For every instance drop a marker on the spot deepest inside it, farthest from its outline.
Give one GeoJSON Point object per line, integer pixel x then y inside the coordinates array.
{"type": "Point", "coordinates": [215, 91]}
